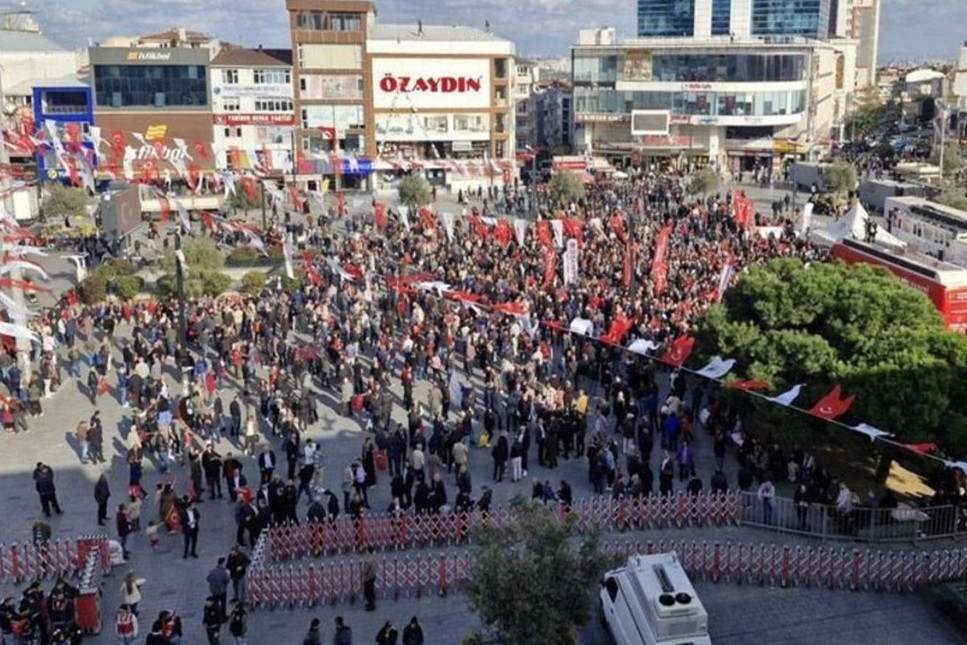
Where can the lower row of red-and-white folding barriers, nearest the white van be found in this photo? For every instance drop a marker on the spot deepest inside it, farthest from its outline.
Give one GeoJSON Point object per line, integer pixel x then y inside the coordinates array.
{"type": "Point", "coordinates": [412, 575]}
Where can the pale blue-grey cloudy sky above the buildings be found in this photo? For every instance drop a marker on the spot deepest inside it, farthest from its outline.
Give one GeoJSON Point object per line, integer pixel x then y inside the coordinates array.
{"type": "Point", "coordinates": [910, 29]}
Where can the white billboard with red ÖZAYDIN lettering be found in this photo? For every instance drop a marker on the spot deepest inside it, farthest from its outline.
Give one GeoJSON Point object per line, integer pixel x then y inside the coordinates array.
{"type": "Point", "coordinates": [431, 83]}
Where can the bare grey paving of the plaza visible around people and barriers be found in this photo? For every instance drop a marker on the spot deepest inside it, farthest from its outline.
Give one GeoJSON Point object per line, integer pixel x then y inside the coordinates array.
{"type": "Point", "coordinates": [738, 614]}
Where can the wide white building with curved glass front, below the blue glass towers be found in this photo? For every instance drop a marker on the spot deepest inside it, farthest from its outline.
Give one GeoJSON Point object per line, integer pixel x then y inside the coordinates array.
{"type": "Point", "coordinates": [735, 103]}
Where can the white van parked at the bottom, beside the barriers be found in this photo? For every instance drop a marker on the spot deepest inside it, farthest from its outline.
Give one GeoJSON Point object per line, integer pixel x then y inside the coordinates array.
{"type": "Point", "coordinates": [651, 602]}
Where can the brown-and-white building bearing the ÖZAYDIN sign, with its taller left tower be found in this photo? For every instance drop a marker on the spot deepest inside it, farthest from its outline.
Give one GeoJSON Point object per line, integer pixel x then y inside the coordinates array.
{"type": "Point", "coordinates": [397, 98]}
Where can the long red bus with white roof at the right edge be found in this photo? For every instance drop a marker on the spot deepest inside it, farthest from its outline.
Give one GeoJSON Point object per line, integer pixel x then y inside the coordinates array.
{"type": "Point", "coordinates": [944, 283]}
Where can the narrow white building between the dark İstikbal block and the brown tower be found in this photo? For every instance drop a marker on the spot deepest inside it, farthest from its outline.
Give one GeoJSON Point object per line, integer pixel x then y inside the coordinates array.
{"type": "Point", "coordinates": [253, 122]}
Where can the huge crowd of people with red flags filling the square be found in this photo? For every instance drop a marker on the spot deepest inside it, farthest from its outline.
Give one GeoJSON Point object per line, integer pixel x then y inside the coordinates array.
{"type": "Point", "coordinates": [496, 365]}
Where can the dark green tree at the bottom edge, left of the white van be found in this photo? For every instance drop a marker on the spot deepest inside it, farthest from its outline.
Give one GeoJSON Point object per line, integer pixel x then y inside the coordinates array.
{"type": "Point", "coordinates": [530, 585]}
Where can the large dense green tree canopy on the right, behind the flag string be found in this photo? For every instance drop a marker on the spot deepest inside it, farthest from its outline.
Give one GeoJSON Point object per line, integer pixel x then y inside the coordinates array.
{"type": "Point", "coordinates": [787, 322]}
